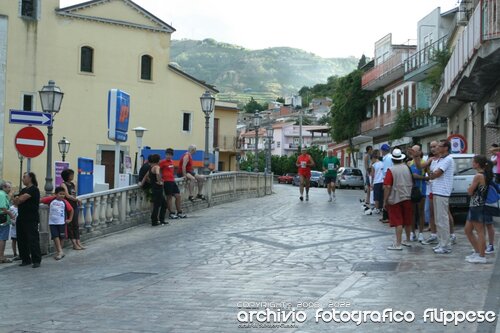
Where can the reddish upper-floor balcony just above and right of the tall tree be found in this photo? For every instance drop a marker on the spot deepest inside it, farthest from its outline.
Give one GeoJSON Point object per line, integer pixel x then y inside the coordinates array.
{"type": "Point", "coordinates": [387, 71]}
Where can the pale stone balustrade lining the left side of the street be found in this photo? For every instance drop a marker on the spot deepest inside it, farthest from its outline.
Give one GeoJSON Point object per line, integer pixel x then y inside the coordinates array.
{"type": "Point", "coordinates": [114, 210]}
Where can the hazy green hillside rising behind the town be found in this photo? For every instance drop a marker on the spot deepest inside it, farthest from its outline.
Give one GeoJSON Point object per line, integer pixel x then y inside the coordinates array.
{"type": "Point", "coordinates": [240, 73]}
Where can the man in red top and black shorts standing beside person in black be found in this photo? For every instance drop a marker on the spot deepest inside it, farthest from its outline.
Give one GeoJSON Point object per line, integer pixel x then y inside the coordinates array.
{"type": "Point", "coordinates": [169, 185]}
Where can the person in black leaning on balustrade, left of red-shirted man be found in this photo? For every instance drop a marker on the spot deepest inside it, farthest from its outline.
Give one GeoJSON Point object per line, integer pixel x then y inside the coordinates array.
{"type": "Point", "coordinates": [159, 203]}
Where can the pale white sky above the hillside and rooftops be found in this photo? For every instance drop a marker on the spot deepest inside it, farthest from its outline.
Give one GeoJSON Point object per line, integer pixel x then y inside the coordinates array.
{"type": "Point", "coordinates": [327, 28]}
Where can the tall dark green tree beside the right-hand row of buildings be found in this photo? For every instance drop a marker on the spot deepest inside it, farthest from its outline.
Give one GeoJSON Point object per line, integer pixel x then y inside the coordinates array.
{"type": "Point", "coordinates": [349, 108]}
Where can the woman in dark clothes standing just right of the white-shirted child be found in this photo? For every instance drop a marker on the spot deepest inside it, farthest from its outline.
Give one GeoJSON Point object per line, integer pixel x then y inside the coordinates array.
{"type": "Point", "coordinates": [70, 194]}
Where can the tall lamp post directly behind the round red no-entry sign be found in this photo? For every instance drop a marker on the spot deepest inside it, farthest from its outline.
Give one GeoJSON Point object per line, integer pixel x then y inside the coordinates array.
{"type": "Point", "coordinates": [51, 98]}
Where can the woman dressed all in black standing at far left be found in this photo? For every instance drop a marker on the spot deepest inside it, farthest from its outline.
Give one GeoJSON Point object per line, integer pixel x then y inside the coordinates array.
{"type": "Point", "coordinates": [28, 239]}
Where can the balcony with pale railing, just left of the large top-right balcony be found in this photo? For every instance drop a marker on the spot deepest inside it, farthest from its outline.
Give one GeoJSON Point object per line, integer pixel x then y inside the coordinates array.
{"type": "Point", "coordinates": [417, 66]}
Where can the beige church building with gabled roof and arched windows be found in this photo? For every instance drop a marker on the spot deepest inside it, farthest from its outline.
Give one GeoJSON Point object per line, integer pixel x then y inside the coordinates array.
{"type": "Point", "coordinates": [88, 49]}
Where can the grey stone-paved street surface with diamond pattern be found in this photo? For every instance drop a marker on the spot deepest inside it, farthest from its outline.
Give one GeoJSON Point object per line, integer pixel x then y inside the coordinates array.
{"type": "Point", "coordinates": [201, 273]}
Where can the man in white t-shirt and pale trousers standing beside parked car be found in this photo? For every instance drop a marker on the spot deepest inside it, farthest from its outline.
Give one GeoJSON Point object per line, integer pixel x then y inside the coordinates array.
{"type": "Point", "coordinates": [442, 185]}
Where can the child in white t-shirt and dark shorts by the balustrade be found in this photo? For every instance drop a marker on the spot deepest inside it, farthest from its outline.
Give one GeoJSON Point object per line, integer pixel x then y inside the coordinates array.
{"type": "Point", "coordinates": [58, 206]}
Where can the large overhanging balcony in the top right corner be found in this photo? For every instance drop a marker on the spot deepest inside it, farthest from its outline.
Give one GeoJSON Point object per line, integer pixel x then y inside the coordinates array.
{"type": "Point", "coordinates": [475, 60]}
